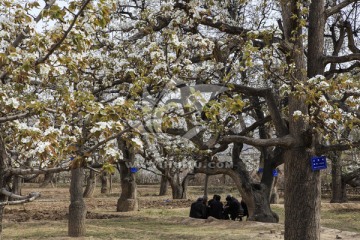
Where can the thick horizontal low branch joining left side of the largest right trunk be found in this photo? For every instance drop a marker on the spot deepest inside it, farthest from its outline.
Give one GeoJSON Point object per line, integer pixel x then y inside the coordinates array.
{"type": "Point", "coordinates": [285, 142]}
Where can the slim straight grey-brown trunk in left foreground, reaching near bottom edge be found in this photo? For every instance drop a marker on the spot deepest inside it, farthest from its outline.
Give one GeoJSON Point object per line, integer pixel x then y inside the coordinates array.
{"type": "Point", "coordinates": [77, 208]}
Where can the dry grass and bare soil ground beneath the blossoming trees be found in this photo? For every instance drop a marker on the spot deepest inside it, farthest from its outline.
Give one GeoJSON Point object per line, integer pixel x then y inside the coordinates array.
{"type": "Point", "coordinates": [158, 218]}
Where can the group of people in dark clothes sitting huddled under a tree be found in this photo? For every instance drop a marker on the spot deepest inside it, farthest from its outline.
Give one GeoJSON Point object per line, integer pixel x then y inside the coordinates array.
{"type": "Point", "coordinates": [233, 209]}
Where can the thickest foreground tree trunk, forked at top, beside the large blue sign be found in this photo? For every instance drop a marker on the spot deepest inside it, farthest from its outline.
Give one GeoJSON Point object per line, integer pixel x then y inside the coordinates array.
{"type": "Point", "coordinates": [302, 185]}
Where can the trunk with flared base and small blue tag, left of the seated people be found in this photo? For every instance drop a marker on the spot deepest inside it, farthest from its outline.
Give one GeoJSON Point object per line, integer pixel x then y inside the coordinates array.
{"type": "Point", "coordinates": [128, 199]}
